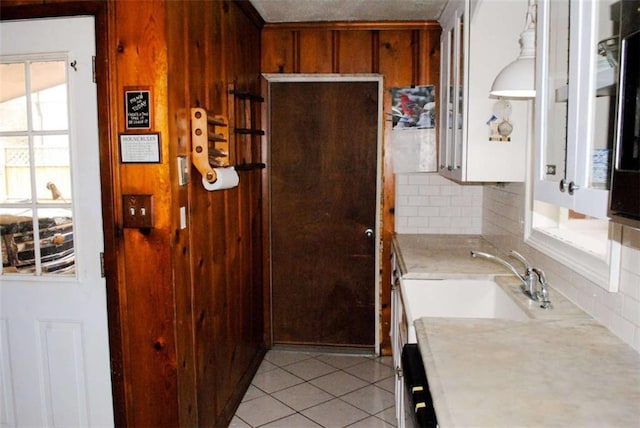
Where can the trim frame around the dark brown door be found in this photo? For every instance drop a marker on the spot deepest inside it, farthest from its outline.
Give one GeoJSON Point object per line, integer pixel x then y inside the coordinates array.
{"type": "Point", "coordinates": [300, 78]}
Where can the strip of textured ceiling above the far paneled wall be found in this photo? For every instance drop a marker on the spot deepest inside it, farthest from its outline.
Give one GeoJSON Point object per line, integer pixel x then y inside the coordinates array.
{"type": "Point", "coordinates": [348, 10]}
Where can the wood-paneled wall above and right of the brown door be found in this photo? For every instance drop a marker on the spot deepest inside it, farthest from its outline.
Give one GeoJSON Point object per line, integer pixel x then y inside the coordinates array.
{"type": "Point", "coordinates": [404, 53]}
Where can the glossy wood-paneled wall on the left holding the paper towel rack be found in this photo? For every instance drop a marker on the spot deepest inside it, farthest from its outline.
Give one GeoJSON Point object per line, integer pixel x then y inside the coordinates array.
{"type": "Point", "coordinates": [185, 304]}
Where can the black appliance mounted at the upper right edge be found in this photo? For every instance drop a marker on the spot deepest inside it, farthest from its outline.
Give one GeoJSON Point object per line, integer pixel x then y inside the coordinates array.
{"type": "Point", "coordinates": [624, 204]}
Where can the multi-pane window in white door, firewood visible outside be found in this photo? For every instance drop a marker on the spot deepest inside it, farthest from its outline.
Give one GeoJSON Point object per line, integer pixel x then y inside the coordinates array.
{"type": "Point", "coordinates": [35, 173]}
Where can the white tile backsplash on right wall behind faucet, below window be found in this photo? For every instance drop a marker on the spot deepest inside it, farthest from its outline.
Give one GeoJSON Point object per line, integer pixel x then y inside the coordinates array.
{"type": "Point", "coordinates": [503, 209]}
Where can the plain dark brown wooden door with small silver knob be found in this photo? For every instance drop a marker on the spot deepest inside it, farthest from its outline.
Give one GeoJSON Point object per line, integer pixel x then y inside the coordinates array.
{"type": "Point", "coordinates": [323, 200]}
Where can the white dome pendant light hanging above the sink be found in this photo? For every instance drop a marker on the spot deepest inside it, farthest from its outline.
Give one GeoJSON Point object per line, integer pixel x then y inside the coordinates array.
{"type": "Point", "coordinates": [517, 80]}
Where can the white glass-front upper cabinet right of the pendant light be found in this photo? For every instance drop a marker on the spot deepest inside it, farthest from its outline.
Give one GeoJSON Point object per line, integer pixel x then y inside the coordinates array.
{"type": "Point", "coordinates": [575, 105]}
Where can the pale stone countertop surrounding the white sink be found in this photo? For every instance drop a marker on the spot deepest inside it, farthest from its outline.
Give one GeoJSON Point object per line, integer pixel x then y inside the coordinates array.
{"type": "Point", "coordinates": [561, 368]}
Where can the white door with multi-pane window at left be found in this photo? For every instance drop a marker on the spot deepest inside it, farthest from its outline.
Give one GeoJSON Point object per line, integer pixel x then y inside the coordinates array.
{"type": "Point", "coordinates": [54, 353]}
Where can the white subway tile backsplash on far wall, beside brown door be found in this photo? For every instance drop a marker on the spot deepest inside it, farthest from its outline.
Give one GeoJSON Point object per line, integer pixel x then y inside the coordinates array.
{"type": "Point", "coordinates": [429, 203]}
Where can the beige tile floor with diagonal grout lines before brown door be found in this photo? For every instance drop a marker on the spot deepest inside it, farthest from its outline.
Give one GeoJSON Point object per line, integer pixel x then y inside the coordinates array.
{"type": "Point", "coordinates": [307, 389]}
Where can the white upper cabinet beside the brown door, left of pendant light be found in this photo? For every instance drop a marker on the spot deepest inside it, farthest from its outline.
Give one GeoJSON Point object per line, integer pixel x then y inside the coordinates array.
{"type": "Point", "coordinates": [478, 39]}
